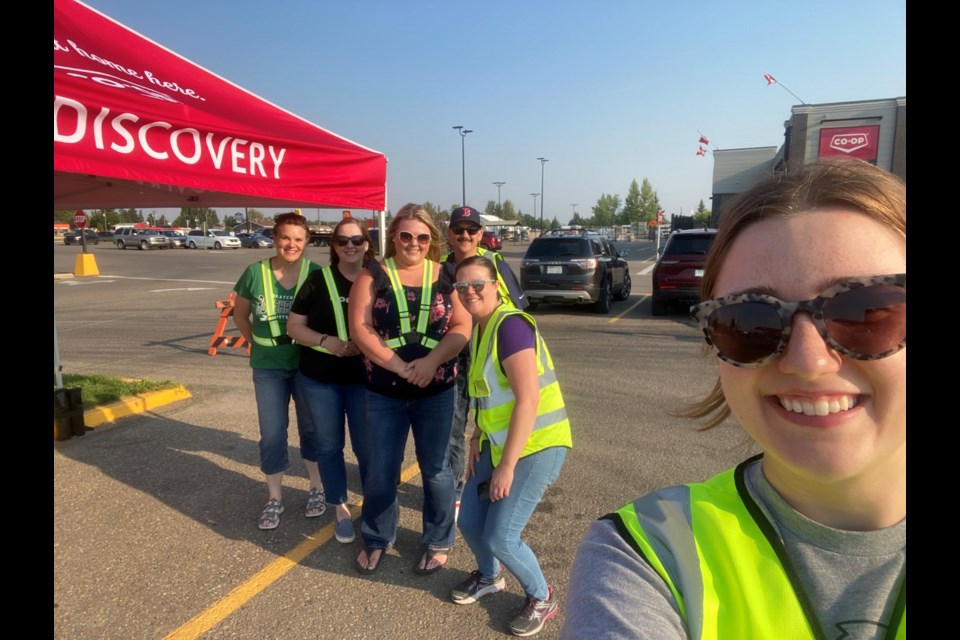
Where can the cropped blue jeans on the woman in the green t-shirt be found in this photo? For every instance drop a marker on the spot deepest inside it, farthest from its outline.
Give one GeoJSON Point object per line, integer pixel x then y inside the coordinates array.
{"type": "Point", "coordinates": [273, 389]}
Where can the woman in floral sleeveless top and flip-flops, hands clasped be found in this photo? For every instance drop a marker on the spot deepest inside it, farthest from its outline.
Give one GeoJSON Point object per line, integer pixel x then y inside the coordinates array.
{"type": "Point", "coordinates": [410, 328]}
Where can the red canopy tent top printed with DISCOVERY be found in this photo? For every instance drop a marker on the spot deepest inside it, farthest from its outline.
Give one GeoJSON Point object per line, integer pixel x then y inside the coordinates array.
{"type": "Point", "coordinates": [136, 125]}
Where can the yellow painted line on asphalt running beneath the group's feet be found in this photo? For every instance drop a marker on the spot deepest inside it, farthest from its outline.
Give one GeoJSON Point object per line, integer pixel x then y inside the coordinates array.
{"type": "Point", "coordinates": [259, 581]}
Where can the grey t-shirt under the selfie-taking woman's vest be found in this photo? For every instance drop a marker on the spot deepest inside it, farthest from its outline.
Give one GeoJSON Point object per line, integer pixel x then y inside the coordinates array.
{"type": "Point", "coordinates": [851, 577]}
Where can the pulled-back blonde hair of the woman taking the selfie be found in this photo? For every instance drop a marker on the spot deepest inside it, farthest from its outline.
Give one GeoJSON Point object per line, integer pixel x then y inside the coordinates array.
{"type": "Point", "coordinates": [837, 183]}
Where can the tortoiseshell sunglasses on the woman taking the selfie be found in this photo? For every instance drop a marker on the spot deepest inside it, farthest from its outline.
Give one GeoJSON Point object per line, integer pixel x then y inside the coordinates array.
{"type": "Point", "coordinates": [863, 318]}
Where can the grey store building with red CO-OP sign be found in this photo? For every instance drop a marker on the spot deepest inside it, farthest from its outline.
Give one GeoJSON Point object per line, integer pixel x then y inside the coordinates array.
{"type": "Point", "coordinates": [871, 130]}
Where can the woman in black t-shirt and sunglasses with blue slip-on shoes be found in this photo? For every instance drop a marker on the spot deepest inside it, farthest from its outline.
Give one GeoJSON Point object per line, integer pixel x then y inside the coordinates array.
{"type": "Point", "coordinates": [331, 380]}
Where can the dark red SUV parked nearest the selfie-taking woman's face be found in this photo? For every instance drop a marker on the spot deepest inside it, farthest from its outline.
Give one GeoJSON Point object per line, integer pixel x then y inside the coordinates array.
{"type": "Point", "coordinates": [679, 269]}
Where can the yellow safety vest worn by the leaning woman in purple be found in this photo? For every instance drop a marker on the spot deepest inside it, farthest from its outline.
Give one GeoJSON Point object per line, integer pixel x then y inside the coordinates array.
{"type": "Point", "coordinates": [495, 400]}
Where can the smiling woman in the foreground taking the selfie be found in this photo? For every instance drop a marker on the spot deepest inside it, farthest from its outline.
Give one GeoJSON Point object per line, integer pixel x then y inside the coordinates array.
{"type": "Point", "coordinates": [805, 306]}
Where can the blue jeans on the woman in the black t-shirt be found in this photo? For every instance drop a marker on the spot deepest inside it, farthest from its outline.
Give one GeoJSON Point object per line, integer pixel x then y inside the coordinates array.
{"type": "Point", "coordinates": [327, 405]}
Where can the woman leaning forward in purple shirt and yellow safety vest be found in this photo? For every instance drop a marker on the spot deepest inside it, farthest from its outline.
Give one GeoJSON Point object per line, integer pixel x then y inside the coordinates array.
{"type": "Point", "coordinates": [517, 449]}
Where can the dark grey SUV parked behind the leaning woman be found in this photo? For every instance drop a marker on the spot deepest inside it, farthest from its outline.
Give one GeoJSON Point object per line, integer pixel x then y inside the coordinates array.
{"type": "Point", "coordinates": [584, 269]}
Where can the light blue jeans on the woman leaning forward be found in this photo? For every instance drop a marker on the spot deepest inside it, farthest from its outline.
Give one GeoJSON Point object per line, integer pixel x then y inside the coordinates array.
{"type": "Point", "coordinates": [492, 529]}
